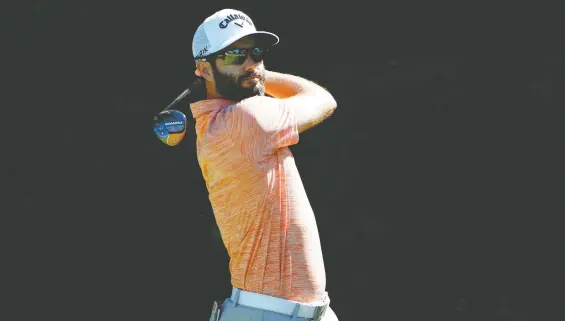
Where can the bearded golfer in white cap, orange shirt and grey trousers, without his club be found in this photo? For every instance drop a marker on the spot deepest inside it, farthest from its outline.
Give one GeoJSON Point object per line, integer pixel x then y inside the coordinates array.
{"type": "Point", "coordinates": [245, 125]}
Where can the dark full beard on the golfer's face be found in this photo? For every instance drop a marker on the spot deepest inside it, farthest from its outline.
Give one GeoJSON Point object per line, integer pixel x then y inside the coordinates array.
{"type": "Point", "coordinates": [231, 88]}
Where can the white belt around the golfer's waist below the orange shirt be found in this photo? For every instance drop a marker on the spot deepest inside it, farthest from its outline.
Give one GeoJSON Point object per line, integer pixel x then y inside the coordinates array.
{"type": "Point", "coordinates": [278, 305]}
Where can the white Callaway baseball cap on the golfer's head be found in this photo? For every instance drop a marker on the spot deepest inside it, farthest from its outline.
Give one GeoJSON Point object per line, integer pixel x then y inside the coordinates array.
{"type": "Point", "coordinates": [224, 28]}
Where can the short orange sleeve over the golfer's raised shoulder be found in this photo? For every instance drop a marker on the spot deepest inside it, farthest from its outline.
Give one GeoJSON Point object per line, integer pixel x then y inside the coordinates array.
{"type": "Point", "coordinates": [263, 124]}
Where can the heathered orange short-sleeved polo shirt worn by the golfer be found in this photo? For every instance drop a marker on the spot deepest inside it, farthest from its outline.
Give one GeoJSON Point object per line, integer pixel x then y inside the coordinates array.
{"type": "Point", "coordinates": [259, 202]}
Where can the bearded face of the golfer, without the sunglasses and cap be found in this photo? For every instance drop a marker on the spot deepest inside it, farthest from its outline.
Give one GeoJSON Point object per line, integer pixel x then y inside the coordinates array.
{"type": "Point", "coordinates": [237, 82]}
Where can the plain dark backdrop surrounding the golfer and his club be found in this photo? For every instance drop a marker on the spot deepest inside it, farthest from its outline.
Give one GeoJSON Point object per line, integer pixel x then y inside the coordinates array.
{"type": "Point", "coordinates": [435, 183]}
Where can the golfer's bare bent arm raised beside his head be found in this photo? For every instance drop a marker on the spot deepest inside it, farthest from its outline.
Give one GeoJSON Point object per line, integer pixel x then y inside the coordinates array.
{"type": "Point", "coordinates": [311, 104]}
